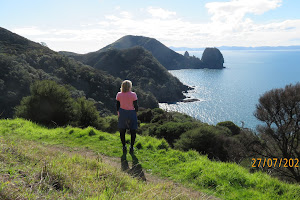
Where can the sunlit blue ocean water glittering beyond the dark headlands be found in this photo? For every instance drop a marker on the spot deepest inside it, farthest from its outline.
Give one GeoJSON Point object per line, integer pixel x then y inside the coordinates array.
{"type": "Point", "coordinates": [232, 93]}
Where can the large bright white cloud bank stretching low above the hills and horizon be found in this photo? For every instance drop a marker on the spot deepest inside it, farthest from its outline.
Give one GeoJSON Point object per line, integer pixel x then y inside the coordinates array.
{"type": "Point", "coordinates": [228, 27]}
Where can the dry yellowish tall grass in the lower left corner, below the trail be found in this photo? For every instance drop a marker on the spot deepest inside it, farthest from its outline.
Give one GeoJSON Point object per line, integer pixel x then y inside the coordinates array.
{"type": "Point", "coordinates": [30, 170]}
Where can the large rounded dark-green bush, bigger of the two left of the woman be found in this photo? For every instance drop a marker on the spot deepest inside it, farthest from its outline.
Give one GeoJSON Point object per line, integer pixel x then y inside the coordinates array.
{"type": "Point", "coordinates": [49, 104]}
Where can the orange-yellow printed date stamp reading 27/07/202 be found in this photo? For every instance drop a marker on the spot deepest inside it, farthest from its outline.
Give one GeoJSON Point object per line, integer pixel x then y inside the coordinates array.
{"type": "Point", "coordinates": [275, 162]}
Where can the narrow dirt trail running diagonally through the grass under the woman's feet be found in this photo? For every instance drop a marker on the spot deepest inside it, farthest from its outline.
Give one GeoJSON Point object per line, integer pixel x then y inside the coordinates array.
{"type": "Point", "coordinates": [134, 170]}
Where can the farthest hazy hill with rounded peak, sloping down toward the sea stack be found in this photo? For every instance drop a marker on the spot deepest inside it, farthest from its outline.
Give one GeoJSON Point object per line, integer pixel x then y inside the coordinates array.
{"type": "Point", "coordinates": [167, 57]}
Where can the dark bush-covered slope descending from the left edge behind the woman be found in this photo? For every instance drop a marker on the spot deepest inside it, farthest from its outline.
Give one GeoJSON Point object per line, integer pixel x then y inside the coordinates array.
{"type": "Point", "coordinates": [22, 62]}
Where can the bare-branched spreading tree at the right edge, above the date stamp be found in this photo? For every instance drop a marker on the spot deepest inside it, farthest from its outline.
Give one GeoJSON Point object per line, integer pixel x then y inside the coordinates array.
{"type": "Point", "coordinates": [279, 109]}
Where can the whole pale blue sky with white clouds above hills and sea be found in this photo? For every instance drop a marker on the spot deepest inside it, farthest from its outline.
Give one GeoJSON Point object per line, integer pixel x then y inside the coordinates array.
{"type": "Point", "coordinates": [83, 26]}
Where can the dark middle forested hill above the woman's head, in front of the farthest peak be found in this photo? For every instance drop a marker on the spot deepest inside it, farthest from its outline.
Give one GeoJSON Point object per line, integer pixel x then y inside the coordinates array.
{"type": "Point", "coordinates": [138, 65]}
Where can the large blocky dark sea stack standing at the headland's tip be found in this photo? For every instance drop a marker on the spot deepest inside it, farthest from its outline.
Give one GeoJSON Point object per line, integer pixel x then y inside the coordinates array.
{"type": "Point", "coordinates": [212, 58]}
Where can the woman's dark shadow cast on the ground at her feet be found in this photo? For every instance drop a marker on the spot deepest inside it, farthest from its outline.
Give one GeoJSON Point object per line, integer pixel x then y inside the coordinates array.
{"type": "Point", "coordinates": [136, 170]}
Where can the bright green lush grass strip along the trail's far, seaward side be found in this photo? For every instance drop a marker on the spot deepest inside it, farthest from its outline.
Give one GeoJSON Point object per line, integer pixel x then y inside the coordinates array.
{"type": "Point", "coordinates": [224, 180]}
